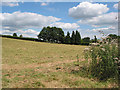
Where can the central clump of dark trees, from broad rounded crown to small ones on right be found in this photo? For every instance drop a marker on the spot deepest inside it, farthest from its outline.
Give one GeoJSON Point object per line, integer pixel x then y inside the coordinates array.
{"type": "Point", "coordinates": [56, 35]}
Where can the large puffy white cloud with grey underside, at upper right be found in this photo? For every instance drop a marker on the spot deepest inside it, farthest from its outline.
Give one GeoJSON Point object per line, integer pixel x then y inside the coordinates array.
{"type": "Point", "coordinates": [87, 10]}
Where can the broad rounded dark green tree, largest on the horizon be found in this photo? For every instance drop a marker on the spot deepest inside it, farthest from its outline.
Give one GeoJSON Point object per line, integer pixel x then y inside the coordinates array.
{"type": "Point", "coordinates": [51, 34]}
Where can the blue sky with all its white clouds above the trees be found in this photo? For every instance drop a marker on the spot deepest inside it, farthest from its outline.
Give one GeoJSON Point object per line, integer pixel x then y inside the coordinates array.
{"type": "Point", "coordinates": [89, 18]}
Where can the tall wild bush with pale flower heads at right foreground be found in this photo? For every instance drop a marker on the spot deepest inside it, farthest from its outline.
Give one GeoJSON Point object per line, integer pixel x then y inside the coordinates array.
{"type": "Point", "coordinates": [103, 59]}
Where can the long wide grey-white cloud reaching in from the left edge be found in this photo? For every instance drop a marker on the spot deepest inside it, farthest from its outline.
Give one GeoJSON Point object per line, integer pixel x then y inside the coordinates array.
{"type": "Point", "coordinates": [25, 20]}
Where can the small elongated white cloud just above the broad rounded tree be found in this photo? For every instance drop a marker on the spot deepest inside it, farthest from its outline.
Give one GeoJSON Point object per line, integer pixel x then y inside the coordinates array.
{"type": "Point", "coordinates": [66, 26]}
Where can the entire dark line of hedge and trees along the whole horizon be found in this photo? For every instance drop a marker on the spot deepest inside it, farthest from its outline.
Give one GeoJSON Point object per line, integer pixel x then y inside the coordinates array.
{"type": "Point", "coordinates": [56, 35]}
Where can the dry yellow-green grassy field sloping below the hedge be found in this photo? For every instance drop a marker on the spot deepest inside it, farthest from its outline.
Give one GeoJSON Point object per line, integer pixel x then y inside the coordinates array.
{"type": "Point", "coordinates": [28, 64]}
